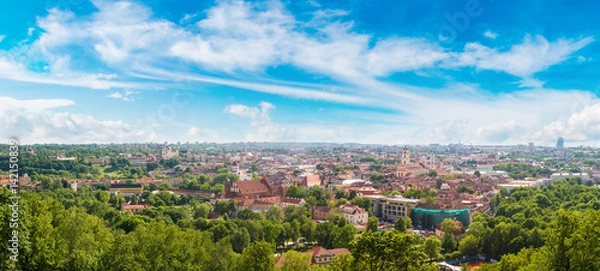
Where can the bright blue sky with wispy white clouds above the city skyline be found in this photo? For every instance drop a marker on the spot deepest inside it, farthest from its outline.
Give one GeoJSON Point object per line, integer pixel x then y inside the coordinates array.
{"type": "Point", "coordinates": [387, 72]}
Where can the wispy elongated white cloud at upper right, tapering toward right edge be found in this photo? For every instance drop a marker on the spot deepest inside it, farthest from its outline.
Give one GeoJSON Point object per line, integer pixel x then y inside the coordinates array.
{"type": "Point", "coordinates": [535, 54]}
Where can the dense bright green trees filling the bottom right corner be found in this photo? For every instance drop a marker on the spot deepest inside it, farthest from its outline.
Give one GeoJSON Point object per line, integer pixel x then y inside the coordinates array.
{"type": "Point", "coordinates": [554, 227]}
